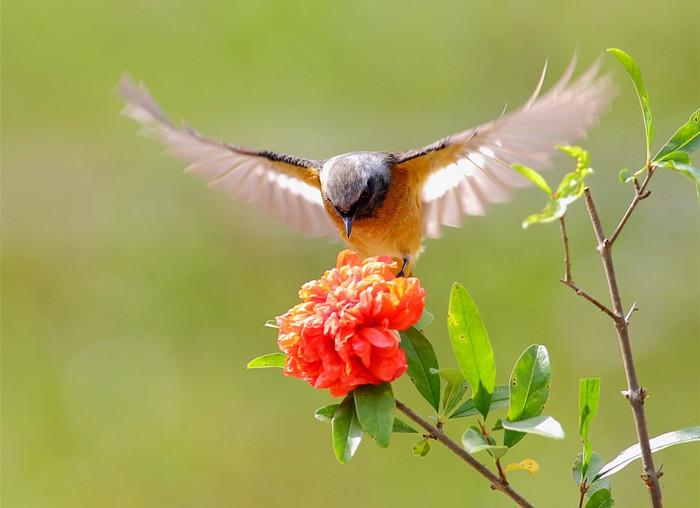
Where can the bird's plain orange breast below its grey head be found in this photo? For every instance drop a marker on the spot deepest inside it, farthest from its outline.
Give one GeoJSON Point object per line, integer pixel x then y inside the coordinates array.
{"type": "Point", "coordinates": [396, 228]}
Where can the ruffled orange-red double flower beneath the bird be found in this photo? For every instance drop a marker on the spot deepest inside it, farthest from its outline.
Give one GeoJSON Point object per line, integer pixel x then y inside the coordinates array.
{"type": "Point", "coordinates": [343, 334]}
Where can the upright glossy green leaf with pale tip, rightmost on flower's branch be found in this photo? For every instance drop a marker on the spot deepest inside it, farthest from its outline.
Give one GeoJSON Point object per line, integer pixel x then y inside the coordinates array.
{"type": "Point", "coordinates": [529, 388]}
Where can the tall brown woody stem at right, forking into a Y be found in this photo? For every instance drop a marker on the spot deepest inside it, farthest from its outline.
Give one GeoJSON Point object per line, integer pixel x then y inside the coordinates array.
{"type": "Point", "coordinates": [634, 394]}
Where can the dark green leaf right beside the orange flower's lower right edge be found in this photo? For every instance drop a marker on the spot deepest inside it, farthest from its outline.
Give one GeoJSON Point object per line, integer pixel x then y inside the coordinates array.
{"type": "Point", "coordinates": [420, 357]}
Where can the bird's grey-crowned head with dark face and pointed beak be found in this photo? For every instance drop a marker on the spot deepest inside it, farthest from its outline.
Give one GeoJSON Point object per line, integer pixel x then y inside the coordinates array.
{"type": "Point", "coordinates": [356, 184]}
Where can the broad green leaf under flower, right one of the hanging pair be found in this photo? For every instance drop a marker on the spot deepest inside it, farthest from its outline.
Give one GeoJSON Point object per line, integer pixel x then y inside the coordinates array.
{"type": "Point", "coordinates": [374, 405]}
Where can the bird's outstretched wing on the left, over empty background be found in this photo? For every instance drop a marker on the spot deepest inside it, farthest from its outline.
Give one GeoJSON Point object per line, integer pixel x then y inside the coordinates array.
{"type": "Point", "coordinates": [286, 187]}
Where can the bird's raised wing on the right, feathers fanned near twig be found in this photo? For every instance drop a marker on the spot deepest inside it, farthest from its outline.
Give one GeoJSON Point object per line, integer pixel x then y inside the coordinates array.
{"type": "Point", "coordinates": [462, 173]}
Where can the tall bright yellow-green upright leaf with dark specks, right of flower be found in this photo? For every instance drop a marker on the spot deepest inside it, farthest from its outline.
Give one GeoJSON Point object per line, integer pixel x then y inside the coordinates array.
{"type": "Point", "coordinates": [471, 346]}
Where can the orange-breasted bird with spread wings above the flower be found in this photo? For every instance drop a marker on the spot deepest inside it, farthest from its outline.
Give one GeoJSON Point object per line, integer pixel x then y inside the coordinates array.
{"type": "Point", "coordinates": [387, 203]}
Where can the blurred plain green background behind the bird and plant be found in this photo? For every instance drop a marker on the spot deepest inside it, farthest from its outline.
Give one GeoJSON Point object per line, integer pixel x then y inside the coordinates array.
{"type": "Point", "coordinates": [133, 296]}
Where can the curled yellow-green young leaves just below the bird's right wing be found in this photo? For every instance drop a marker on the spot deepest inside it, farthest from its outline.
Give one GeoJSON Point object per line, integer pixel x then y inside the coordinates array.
{"type": "Point", "coordinates": [569, 190]}
